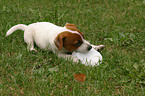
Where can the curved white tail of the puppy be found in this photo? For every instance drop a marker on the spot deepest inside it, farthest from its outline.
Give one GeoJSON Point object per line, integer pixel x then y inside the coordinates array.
{"type": "Point", "coordinates": [16, 27]}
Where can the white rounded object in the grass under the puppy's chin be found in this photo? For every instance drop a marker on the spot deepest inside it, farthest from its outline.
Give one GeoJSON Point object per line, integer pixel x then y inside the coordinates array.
{"type": "Point", "coordinates": [92, 57]}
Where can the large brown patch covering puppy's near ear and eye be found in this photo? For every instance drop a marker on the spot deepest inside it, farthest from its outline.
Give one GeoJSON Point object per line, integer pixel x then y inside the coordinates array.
{"type": "Point", "coordinates": [70, 41]}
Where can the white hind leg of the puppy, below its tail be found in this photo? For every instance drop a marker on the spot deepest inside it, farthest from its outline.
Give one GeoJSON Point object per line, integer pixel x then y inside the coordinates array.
{"type": "Point", "coordinates": [28, 37]}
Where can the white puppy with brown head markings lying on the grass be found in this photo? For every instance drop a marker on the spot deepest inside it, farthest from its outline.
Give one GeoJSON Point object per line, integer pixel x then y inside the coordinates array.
{"type": "Point", "coordinates": [51, 37]}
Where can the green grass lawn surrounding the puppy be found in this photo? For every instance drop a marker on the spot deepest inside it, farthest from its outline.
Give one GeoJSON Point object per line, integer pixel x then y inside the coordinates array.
{"type": "Point", "coordinates": [118, 24]}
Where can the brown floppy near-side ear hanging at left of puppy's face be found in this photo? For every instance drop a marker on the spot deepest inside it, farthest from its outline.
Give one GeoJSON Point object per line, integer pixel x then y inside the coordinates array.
{"type": "Point", "coordinates": [59, 41]}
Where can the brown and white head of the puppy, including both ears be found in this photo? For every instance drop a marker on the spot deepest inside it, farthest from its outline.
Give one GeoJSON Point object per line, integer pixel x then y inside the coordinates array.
{"type": "Point", "coordinates": [72, 40]}
